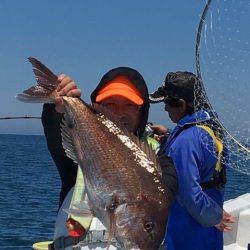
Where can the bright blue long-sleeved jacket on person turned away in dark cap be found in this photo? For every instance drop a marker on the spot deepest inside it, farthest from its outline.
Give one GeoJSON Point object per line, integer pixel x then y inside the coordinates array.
{"type": "Point", "coordinates": [195, 212]}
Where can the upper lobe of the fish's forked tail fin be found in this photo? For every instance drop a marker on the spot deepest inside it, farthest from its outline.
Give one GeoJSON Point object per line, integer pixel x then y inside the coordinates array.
{"type": "Point", "coordinates": [44, 76]}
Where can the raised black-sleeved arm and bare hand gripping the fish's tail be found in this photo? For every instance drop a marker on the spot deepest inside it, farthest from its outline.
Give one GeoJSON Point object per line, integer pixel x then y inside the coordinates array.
{"type": "Point", "coordinates": [51, 119]}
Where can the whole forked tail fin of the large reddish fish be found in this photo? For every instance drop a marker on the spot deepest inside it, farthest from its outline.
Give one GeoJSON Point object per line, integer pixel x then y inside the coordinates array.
{"type": "Point", "coordinates": [47, 82]}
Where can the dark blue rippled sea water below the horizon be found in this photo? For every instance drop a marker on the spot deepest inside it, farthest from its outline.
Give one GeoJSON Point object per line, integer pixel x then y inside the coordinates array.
{"type": "Point", "coordinates": [30, 188]}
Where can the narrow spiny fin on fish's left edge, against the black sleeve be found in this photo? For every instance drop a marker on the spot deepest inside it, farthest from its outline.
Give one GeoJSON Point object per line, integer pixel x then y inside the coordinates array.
{"type": "Point", "coordinates": [67, 142]}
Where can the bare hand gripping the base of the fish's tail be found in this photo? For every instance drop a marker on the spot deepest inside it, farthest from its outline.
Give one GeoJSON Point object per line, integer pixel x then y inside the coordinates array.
{"type": "Point", "coordinates": [66, 87]}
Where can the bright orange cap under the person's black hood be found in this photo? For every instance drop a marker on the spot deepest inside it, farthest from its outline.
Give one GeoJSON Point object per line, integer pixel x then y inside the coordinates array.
{"type": "Point", "coordinates": [120, 86]}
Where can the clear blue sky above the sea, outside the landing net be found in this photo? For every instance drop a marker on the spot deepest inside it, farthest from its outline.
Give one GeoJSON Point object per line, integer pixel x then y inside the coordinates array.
{"type": "Point", "coordinates": [85, 39]}
